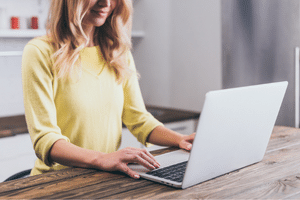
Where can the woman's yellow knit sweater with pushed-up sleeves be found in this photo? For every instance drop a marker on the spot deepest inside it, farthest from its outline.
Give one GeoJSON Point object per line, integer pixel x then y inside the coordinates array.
{"type": "Point", "coordinates": [87, 112]}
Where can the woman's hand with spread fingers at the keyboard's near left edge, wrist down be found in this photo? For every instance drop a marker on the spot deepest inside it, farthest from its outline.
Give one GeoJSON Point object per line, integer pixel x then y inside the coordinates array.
{"type": "Point", "coordinates": [117, 161]}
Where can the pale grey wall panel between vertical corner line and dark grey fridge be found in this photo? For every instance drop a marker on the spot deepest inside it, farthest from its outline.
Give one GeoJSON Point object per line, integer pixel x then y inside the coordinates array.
{"type": "Point", "coordinates": [195, 52]}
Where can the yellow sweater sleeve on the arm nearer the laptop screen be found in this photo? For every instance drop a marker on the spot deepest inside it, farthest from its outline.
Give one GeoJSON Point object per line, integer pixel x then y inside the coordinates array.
{"type": "Point", "coordinates": [135, 116]}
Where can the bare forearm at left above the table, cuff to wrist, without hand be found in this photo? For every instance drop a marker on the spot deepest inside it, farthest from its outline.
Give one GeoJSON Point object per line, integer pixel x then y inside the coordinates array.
{"type": "Point", "coordinates": [68, 154]}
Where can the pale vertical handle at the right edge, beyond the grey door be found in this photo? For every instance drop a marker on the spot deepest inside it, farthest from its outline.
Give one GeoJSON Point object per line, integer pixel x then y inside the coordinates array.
{"type": "Point", "coordinates": [297, 97]}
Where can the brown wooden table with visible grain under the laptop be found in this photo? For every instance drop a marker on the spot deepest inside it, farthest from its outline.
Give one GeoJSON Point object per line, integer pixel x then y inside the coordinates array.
{"type": "Point", "coordinates": [276, 177]}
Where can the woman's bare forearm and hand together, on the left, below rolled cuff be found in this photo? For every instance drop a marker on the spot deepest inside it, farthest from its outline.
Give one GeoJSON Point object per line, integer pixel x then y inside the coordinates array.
{"type": "Point", "coordinates": [69, 154]}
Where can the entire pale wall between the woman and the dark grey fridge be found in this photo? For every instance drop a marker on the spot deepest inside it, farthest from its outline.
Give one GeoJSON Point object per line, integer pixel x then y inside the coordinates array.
{"type": "Point", "coordinates": [180, 57]}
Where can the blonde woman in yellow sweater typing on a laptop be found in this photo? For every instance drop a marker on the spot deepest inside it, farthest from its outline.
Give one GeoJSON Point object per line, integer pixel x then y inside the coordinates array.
{"type": "Point", "coordinates": [80, 84]}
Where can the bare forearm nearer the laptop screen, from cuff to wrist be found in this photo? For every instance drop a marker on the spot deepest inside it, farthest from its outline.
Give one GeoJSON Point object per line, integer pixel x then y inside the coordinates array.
{"type": "Point", "coordinates": [164, 137]}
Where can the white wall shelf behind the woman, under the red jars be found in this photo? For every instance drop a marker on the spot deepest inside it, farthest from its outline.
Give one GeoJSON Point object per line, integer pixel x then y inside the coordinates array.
{"type": "Point", "coordinates": [35, 33]}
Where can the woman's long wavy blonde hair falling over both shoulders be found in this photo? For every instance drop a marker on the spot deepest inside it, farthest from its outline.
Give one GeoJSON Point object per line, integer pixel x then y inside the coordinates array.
{"type": "Point", "coordinates": [64, 28]}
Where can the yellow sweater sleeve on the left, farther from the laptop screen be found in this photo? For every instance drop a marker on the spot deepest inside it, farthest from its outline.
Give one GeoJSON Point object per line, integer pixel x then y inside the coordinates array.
{"type": "Point", "coordinates": [40, 110]}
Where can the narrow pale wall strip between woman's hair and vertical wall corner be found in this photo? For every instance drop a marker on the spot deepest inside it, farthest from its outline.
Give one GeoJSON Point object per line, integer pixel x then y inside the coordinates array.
{"type": "Point", "coordinates": [152, 53]}
